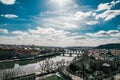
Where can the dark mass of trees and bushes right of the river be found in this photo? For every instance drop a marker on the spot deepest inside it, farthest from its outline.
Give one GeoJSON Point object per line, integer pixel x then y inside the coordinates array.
{"type": "Point", "coordinates": [91, 69]}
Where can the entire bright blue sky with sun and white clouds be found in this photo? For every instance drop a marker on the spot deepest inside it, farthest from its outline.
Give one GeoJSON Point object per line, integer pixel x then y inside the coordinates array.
{"type": "Point", "coordinates": [59, 22]}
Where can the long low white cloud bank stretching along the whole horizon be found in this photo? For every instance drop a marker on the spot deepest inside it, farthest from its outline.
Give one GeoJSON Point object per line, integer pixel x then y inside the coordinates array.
{"type": "Point", "coordinates": [54, 37]}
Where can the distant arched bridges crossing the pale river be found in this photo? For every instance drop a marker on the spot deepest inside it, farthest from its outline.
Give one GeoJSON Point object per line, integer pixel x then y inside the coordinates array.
{"type": "Point", "coordinates": [75, 52]}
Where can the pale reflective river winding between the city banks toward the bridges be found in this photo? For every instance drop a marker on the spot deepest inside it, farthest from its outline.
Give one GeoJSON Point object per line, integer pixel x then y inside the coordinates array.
{"type": "Point", "coordinates": [32, 66]}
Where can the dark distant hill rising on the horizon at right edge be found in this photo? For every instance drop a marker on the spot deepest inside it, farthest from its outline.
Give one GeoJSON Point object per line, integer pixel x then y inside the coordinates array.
{"type": "Point", "coordinates": [109, 46]}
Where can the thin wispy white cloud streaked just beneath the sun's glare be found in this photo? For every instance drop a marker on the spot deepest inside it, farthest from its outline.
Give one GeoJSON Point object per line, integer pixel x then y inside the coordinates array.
{"type": "Point", "coordinates": [66, 20]}
